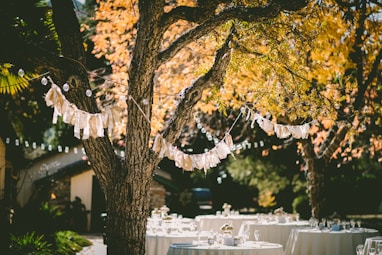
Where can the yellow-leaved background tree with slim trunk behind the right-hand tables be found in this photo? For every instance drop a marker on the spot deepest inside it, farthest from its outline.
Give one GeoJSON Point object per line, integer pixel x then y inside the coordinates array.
{"type": "Point", "coordinates": [329, 76]}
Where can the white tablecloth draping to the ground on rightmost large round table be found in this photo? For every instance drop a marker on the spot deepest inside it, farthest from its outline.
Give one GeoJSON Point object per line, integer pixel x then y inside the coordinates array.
{"type": "Point", "coordinates": [325, 242]}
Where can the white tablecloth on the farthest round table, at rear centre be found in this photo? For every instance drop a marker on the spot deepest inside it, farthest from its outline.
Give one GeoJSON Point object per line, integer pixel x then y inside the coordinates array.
{"type": "Point", "coordinates": [213, 222]}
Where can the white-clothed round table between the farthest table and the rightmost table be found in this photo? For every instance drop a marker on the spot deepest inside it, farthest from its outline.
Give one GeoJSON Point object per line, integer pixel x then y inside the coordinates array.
{"type": "Point", "coordinates": [273, 231]}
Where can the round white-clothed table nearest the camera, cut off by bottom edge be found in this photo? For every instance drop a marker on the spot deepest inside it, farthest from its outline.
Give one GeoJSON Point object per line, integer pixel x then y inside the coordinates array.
{"type": "Point", "coordinates": [249, 248]}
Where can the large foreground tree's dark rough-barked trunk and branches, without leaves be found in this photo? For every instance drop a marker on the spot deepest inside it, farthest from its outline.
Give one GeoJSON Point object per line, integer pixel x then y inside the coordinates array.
{"type": "Point", "coordinates": [126, 181]}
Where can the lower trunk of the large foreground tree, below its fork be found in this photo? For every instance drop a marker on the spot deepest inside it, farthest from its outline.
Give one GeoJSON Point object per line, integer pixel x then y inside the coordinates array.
{"type": "Point", "coordinates": [126, 225]}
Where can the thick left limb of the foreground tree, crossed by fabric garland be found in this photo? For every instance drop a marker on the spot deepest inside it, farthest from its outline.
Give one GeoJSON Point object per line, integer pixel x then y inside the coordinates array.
{"type": "Point", "coordinates": [106, 165]}
